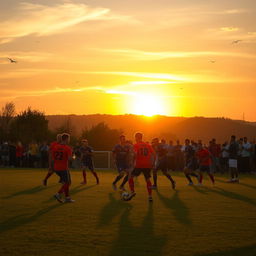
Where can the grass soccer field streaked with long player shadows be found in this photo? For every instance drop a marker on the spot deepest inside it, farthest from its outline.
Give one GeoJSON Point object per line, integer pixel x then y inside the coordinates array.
{"type": "Point", "coordinates": [192, 221]}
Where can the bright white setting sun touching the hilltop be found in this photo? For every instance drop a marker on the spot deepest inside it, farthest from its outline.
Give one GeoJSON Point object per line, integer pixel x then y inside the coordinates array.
{"type": "Point", "coordinates": [148, 105]}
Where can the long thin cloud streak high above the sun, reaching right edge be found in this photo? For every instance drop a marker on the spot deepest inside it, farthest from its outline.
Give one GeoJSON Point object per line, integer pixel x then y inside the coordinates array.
{"type": "Point", "coordinates": [146, 55]}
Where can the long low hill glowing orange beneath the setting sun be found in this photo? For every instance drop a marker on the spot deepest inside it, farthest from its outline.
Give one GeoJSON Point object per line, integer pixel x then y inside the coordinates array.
{"type": "Point", "coordinates": [161, 126]}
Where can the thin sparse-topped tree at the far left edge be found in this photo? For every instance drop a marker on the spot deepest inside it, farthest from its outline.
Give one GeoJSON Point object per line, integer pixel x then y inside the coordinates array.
{"type": "Point", "coordinates": [6, 116]}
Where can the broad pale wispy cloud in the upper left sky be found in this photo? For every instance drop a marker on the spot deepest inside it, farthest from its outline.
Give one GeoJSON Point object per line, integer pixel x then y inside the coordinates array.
{"type": "Point", "coordinates": [42, 20]}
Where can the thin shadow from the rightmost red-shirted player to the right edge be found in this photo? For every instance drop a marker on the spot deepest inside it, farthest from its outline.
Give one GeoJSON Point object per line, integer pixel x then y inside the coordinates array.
{"type": "Point", "coordinates": [228, 194]}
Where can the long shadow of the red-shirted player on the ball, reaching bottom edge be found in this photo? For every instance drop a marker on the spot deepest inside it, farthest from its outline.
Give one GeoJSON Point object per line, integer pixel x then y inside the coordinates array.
{"type": "Point", "coordinates": [136, 241]}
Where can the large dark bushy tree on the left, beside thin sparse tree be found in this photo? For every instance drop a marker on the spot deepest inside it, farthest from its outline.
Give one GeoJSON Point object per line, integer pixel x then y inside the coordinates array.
{"type": "Point", "coordinates": [29, 125]}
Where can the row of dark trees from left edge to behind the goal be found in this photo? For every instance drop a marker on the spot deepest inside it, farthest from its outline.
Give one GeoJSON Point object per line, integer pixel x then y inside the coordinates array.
{"type": "Point", "coordinates": [31, 125]}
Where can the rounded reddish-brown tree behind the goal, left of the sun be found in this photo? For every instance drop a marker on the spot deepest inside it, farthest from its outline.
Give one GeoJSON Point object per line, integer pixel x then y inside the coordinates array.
{"type": "Point", "coordinates": [101, 137]}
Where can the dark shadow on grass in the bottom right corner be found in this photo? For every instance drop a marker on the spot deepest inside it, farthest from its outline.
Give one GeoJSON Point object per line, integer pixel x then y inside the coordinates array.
{"type": "Point", "coordinates": [242, 251]}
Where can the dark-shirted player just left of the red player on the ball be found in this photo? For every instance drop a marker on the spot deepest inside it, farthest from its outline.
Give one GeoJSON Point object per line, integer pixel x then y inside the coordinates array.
{"type": "Point", "coordinates": [120, 152]}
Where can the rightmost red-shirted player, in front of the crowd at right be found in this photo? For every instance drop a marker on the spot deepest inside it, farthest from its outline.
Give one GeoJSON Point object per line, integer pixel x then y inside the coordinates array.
{"type": "Point", "coordinates": [204, 159]}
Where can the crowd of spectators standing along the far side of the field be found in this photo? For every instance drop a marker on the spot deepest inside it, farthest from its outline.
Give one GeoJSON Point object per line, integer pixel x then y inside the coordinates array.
{"type": "Point", "coordinates": [35, 155]}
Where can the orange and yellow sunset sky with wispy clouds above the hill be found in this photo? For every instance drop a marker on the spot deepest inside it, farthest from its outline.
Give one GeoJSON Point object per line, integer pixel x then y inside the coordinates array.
{"type": "Point", "coordinates": [176, 58]}
